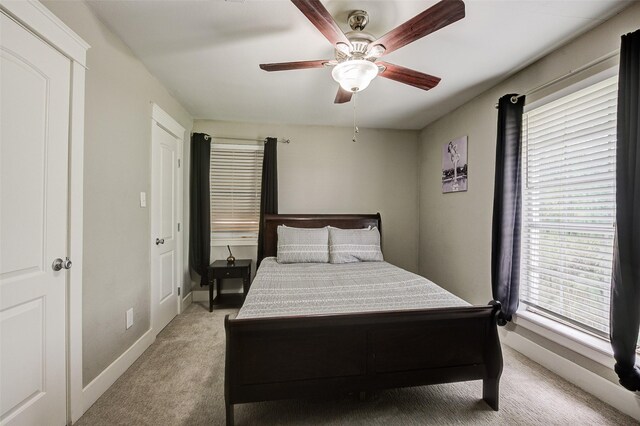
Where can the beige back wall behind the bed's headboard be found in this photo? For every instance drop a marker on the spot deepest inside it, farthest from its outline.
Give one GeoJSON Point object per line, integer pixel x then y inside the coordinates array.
{"type": "Point", "coordinates": [323, 171]}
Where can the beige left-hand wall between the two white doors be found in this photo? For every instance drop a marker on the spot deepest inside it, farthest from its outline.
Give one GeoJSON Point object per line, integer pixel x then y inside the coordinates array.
{"type": "Point", "coordinates": [119, 92]}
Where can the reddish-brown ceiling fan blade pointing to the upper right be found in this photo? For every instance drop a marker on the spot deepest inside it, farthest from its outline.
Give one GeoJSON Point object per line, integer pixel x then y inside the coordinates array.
{"type": "Point", "coordinates": [438, 16]}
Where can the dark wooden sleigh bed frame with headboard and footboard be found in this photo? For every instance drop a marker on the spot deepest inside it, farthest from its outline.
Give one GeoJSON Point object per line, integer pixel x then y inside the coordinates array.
{"type": "Point", "coordinates": [318, 355]}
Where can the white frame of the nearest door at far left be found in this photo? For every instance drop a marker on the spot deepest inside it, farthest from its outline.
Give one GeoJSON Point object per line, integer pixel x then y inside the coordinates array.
{"type": "Point", "coordinates": [36, 18]}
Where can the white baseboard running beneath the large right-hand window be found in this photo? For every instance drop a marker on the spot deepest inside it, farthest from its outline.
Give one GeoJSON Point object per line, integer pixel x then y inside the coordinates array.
{"type": "Point", "coordinates": [611, 393]}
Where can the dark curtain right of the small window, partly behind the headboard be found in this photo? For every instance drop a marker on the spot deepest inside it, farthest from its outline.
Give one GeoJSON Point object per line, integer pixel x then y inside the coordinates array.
{"type": "Point", "coordinates": [269, 191]}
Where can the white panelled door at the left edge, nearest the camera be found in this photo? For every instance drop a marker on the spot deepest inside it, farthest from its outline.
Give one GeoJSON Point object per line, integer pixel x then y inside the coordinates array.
{"type": "Point", "coordinates": [34, 139]}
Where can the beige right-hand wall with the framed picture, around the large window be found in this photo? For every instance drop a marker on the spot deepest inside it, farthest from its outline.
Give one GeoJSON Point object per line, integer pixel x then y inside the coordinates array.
{"type": "Point", "coordinates": [455, 229]}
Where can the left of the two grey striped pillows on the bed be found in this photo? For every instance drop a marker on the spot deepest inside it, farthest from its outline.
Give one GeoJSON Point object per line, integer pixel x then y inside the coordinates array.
{"type": "Point", "coordinates": [303, 245]}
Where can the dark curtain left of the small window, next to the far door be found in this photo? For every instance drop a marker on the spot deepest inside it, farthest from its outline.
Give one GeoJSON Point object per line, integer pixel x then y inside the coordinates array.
{"type": "Point", "coordinates": [199, 208]}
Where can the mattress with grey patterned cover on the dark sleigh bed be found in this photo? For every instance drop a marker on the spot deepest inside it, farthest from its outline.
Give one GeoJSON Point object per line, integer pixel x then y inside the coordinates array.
{"type": "Point", "coordinates": [281, 290]}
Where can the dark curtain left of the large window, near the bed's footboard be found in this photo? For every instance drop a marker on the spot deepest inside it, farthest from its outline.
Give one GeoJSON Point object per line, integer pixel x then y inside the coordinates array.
{"type": "Point", "coordinates": [505, 241]}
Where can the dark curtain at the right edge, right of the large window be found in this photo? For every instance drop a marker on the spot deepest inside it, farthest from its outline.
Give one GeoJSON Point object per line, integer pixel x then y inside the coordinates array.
{"type": "Point", "coordinates": [625, 282]}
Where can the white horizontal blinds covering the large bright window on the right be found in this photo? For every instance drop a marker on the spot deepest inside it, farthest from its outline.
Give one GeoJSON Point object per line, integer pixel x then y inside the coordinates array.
{"type": "Point", "coordinates": [568, 213]}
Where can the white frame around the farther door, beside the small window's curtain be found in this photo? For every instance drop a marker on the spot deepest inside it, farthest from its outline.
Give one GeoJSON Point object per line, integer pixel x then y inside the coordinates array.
{"type": "Point", "coordinates": [160, 118]}
